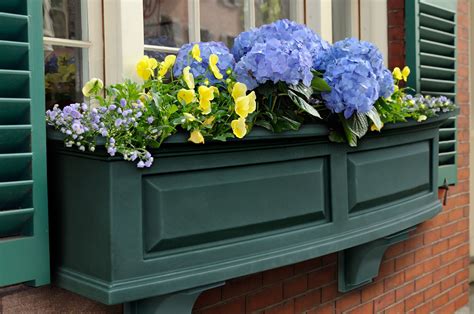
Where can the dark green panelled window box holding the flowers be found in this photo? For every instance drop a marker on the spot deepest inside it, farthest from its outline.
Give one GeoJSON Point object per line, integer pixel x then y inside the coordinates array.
{"type": "Point", "coordinates": [207, 213]}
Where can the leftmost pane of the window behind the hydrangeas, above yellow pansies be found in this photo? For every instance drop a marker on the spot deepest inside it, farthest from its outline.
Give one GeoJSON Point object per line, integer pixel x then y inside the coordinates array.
{"type": "Point", "coordinates": [166, 22]}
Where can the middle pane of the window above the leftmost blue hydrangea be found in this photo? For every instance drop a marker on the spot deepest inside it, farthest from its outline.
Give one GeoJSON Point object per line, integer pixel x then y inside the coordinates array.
{"type": "Point", "coordinates": [221, 20]}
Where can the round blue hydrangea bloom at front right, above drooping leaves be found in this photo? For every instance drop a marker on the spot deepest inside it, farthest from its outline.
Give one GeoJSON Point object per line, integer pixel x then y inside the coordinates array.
{"type": "Point", "coordinates": [354, 86]}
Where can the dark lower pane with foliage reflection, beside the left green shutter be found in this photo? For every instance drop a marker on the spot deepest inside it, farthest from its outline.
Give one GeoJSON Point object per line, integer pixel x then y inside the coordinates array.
{"type": "Point", "coordinates": [63, 75]}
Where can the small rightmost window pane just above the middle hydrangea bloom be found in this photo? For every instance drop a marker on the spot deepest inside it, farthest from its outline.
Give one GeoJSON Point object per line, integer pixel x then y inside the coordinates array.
{"type": "Point", "coordinates": [267, 11]}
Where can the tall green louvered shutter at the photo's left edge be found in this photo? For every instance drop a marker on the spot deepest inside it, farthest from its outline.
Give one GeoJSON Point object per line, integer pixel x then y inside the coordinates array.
{"type": "Point", "coordinates": [24, 250]}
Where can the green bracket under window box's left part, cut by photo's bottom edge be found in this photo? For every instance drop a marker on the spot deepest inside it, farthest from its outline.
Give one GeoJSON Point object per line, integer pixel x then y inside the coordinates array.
{"type": "Point", "coordinates": [181, 302]}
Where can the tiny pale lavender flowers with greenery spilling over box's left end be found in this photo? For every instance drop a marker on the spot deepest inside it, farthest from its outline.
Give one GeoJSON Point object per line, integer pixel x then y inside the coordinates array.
{"type": "Point", "coordinates": [118, 124]}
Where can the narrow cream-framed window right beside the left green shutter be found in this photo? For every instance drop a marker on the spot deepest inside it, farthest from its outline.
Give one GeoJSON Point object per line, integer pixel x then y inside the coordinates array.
{"type": "Point", "coordinates": [69, 49]}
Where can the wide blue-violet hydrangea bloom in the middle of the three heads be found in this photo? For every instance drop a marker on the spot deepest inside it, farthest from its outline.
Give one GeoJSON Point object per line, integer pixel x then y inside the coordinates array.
{"type": "Point", "coordinates": [275, 61]}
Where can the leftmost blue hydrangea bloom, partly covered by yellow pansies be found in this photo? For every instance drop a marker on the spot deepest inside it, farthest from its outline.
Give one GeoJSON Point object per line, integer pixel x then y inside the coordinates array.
{"type": "Point", "coordinates": [184, 59]}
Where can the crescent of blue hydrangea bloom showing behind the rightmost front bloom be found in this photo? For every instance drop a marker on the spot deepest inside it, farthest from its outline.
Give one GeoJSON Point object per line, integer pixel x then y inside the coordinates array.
{"type": "Point", "coordinates": [354, 48]}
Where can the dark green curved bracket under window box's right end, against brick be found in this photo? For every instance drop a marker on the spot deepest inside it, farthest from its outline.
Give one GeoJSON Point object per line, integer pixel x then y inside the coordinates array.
{"type": "Point", "coordinates": [359, 265]}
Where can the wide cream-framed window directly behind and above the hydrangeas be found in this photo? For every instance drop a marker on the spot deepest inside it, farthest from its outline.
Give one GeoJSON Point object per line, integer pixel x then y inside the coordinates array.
{"type": "Point", "coordinates": [168, 24]}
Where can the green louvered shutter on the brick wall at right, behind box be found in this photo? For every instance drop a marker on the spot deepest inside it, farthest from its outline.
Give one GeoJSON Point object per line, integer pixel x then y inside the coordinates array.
{"type": "Point", "coordinates": [430, 36]}
